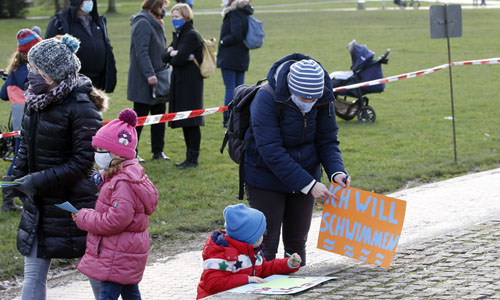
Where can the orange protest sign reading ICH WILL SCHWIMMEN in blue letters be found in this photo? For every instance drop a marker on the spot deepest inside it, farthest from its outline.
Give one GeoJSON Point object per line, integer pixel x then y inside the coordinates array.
{"type": "Point", "coordinates": [361, 225]}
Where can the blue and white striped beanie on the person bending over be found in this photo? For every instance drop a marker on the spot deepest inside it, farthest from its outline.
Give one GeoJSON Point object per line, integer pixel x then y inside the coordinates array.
{"type": "Point", "coordinates": [306, 79]}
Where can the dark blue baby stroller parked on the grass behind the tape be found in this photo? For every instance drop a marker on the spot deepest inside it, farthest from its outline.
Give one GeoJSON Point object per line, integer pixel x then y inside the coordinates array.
{"type": "Point", "coordinates": [363, 69]}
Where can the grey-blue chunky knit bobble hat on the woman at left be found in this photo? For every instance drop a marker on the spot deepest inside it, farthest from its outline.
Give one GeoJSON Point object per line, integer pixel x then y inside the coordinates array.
{"type": "Point", "coordinates": [56, 58]}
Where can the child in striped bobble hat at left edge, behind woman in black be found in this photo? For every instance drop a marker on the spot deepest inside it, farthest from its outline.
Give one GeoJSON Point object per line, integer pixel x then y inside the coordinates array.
{"type": "Point", "coordinates": [13, 90]}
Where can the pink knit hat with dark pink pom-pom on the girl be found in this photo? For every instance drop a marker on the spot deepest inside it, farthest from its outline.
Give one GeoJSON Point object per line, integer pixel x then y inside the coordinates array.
{"type": "Point", "coordinates": [119, 136]}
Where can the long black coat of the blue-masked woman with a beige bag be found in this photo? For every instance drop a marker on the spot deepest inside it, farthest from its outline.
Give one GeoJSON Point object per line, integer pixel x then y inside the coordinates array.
{"type": "Point", "coordinates": [186, 85]}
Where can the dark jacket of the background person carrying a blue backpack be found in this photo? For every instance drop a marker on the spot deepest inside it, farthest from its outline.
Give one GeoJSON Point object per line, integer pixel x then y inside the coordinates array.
{"type": "Point", "coordinates": [232, 53]}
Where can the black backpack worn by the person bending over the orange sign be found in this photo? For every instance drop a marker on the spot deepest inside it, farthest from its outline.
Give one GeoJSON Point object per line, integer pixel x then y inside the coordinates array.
{"type": "Point", "coordinates": [239, 123]}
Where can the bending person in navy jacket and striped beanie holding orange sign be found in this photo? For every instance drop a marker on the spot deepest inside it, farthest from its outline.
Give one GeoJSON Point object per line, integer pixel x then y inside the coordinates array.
{"type": "Point", "coordinates": [293, 133]}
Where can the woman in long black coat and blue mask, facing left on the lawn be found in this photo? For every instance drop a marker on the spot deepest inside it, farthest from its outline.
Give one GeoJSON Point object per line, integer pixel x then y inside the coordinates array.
{"type": "Point", "coordinates": [186, 90]}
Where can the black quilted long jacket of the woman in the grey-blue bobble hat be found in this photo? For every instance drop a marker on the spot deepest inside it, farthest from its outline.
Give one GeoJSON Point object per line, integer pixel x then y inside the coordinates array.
{"type": "Point", "coordinates": [56, 149]}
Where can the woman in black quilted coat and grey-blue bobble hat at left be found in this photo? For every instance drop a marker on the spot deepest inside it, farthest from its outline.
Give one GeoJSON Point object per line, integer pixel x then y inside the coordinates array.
{"type": "Point", "coordinates": [55, 159]}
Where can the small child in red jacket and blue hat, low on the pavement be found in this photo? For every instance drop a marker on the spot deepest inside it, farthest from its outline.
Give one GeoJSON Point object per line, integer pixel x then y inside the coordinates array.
{"type": "Point", "coordinates": [233, 257]}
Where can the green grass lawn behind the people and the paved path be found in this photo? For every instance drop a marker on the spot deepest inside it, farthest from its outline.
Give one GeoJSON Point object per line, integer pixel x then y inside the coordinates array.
{"type": "Point", "coordinates": [411, 141]}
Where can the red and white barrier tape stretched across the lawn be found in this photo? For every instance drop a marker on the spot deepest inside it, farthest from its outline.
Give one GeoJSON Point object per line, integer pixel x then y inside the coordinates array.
{"type": "Point", "coordinates": [155, 119]}
